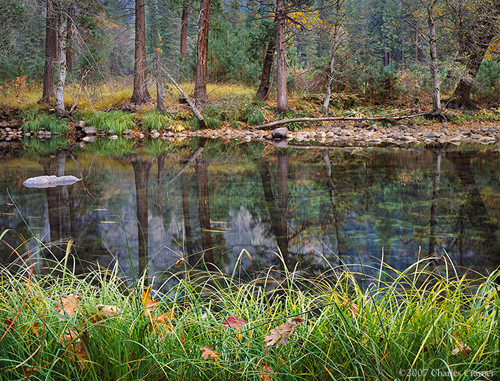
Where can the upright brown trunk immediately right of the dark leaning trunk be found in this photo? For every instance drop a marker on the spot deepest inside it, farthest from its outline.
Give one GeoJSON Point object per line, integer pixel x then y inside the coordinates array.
{"type": "Point", "coordinates": [282, 93]}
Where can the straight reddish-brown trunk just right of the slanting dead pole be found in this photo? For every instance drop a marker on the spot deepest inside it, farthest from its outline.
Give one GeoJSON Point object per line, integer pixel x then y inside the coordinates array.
{"type": "Point", "coordinates": [200, 88]}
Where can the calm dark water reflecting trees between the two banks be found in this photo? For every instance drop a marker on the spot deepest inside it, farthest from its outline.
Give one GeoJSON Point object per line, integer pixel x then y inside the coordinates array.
{"type": "Point", "coordinates": [148, 204]}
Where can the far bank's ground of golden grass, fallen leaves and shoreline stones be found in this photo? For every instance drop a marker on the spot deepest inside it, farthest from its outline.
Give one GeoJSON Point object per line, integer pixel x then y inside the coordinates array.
{"type": "Point", "coordinates": [233, 112]}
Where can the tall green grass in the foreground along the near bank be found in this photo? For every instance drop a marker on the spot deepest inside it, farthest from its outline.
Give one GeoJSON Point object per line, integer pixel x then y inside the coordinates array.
{"type": "Point", "coordinates": [415, 324]}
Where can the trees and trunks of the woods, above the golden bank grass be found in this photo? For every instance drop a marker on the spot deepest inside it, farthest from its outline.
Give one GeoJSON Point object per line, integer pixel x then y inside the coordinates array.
{"type": "Point", "coordinates": [336, 45]}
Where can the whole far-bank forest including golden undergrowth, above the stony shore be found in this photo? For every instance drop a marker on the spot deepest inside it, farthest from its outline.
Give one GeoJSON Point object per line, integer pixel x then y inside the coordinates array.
{"type": "Point", "coordinates": [421, 55]}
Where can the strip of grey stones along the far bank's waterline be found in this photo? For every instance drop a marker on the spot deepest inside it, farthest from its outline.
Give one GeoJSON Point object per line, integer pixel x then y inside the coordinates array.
{"type": "Point", "coordinates": [340, 134]}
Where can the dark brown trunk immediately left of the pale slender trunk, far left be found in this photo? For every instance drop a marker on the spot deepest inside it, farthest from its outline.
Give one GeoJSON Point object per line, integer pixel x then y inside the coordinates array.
{"type": "Point", "coordinates": [50, 53]}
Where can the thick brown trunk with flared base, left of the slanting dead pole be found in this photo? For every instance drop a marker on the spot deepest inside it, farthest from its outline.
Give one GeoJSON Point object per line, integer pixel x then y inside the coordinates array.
{"type": "Point", "coordinates": [140, 94]}
